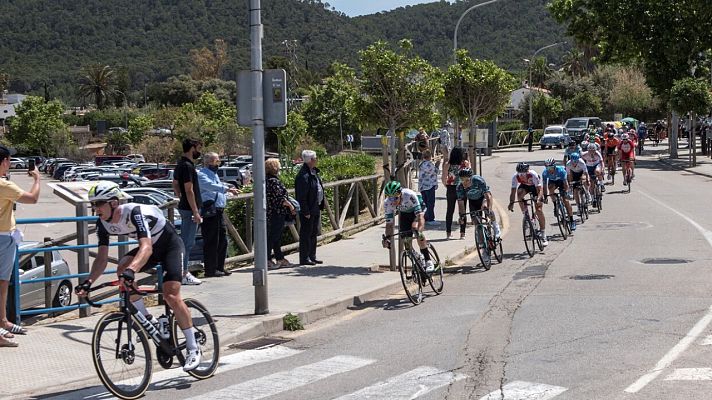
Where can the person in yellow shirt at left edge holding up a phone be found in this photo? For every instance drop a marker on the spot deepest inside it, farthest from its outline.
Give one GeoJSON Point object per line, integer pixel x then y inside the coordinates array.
{"type": "Point", "coordinates": [10, 193]}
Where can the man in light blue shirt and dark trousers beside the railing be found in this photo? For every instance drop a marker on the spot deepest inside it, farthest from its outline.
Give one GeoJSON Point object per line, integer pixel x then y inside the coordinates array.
{"type": "Point", "coordinates": [213, 196]}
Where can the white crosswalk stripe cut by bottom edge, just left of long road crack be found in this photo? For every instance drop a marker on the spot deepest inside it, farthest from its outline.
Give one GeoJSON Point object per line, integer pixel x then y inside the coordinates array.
{"type": "Point", "coordinates": [409, 385]}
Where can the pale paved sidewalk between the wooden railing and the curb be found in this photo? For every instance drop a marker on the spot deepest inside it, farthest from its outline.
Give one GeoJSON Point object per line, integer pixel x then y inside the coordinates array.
{"type": "Point", "coordinates": [56, 356]}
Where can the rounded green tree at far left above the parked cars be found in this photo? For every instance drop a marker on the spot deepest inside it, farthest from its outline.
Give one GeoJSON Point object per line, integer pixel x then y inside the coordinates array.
{"type": "Point", "coordinates": [36, 123]}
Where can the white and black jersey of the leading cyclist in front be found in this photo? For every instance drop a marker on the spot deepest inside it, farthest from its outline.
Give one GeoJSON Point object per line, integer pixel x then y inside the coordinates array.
{"type": "Point", "coordinates": [137, 221]}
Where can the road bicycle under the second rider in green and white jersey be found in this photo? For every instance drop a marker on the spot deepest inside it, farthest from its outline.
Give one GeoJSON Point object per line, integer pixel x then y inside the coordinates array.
{"type": "Point", "coordinates": [412, 268]}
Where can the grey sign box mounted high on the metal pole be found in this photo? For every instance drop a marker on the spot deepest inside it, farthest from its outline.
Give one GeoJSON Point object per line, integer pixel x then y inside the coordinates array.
{"type": "Point", "coordinates": [274, 98]}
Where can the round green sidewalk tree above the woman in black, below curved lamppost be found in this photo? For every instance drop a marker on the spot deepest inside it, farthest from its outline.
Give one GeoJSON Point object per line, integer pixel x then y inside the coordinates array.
{"type": "Point", "coordinates": [476, 90]}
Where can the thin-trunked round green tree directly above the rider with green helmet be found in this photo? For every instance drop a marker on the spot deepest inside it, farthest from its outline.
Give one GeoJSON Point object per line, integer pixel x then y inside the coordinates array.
{"type": "Point", "coordinates": [399, 89]}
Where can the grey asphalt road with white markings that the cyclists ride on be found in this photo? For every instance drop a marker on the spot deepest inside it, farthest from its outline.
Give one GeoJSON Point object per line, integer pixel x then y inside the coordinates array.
{"type": "Point", "coordinates": [619, 311]}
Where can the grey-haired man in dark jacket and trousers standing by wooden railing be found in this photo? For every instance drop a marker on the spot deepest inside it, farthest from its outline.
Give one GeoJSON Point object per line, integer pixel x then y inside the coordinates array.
{"type": "Point", "coordinates": [310, 195]}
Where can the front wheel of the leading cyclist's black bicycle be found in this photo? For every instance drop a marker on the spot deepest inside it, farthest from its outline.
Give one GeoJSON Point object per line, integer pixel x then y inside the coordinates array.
{"type": "Point", "coordinates": [122, 358]}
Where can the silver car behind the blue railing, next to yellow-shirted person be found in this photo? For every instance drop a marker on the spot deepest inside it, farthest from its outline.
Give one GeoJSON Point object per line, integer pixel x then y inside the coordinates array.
{"type": "Point", "coordinates": [31, 268]}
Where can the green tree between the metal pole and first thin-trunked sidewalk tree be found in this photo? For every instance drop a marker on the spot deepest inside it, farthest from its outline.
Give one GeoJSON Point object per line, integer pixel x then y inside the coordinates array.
{"type": "Point", "coordinates": [331, 108]}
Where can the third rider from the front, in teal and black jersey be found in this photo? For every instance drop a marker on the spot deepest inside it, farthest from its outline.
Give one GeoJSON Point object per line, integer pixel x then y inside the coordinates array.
{"type": "Point", "coordinates": [474, 190]}
